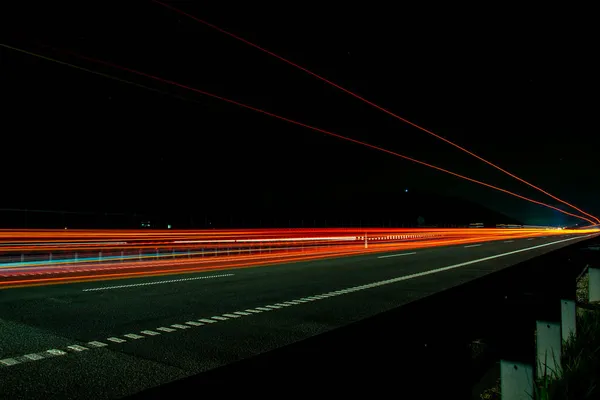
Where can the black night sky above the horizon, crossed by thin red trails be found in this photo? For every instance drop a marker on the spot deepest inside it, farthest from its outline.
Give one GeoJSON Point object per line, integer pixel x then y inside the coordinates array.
{"type": "Point", "coordinates": [517, 87]}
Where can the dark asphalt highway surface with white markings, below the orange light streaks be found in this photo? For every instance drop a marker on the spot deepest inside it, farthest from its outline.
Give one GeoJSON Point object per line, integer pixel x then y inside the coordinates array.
{"type": "Point", "coordinates": [109, 339]}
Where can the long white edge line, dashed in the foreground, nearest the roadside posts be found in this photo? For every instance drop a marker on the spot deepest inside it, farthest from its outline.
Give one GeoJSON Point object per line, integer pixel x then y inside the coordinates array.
{"type": "Point", "coordinates": [7, 362]}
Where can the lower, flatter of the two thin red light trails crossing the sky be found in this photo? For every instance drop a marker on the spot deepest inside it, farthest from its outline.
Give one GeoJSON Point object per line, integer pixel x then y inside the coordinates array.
{"type": "Point", "coordinates": [305, 126]}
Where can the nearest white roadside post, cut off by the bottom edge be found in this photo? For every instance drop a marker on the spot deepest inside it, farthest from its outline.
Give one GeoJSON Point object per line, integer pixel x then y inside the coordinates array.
{"type": "Point", "coordinates": [516, 381]}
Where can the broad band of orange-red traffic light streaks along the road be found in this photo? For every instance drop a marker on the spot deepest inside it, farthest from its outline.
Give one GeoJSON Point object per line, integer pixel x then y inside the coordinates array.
{"type": "Point", "coordinates": [36, 257]}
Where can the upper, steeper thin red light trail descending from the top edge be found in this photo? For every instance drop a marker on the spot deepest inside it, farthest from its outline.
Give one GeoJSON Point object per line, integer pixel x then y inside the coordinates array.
{"type": "Point", "coordinates": [373, 105]}
